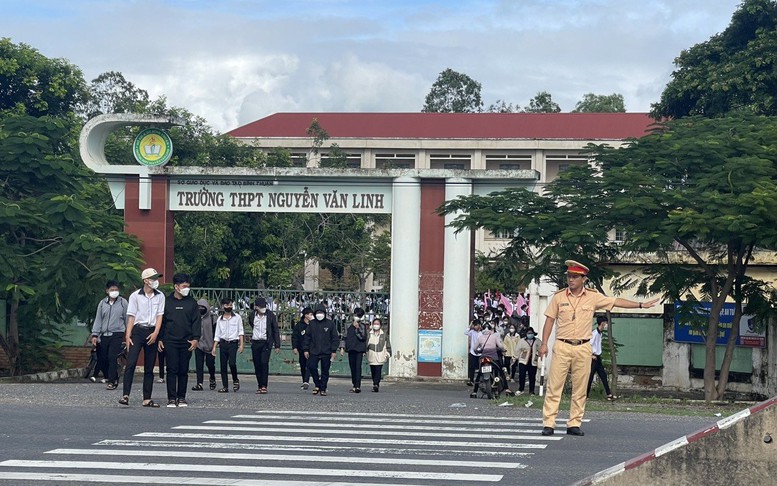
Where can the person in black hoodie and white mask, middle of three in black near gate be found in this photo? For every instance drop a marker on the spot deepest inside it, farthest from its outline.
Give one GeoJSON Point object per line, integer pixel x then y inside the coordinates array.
{"type": "Point", "coordinates": [320, 344]}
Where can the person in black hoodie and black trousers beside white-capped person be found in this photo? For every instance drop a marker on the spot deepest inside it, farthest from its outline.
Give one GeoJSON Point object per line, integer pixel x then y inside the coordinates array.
{"type": "Point", "coordinates": [179, 336]}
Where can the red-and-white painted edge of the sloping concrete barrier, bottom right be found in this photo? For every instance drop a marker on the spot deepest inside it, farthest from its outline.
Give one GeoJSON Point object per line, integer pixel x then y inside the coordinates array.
{"type": "Point", "coordinates": [721, 424]}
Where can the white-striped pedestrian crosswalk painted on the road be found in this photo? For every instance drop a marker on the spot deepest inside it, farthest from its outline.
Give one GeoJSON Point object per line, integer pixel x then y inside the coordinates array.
{"type": "Point", "coordinates": [296, 448]}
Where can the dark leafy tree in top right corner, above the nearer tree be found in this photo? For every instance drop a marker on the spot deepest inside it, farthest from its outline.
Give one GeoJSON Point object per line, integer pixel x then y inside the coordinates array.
{"type": "Point", "coordinates": [732, 71]}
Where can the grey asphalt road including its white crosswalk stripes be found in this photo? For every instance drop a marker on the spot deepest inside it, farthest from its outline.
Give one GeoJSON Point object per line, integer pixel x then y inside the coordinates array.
{"type": "Point", "coordinates": [77, 433]}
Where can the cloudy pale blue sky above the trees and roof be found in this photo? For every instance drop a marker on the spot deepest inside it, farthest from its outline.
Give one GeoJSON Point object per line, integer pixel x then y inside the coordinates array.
{"type": "Point", "coordinates": [236, 61]}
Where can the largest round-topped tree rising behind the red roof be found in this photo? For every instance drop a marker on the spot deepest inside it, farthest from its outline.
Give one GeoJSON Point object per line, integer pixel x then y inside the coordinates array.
{"type": "Point", "coordinates": [453, 92]}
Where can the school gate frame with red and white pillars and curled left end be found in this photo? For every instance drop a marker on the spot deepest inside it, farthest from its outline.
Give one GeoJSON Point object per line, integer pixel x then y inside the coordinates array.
{"type": "Point", "coordinates": [431, 265]}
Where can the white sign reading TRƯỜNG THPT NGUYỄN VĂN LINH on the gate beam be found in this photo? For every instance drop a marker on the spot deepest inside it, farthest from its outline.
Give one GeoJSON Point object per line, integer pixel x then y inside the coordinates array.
{"type": "Point", "coordinates": [279, 196]}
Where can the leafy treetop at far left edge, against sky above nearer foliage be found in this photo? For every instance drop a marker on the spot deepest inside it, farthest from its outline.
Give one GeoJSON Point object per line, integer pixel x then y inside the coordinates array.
{"type": "Point", "coordinates": [33, 84]}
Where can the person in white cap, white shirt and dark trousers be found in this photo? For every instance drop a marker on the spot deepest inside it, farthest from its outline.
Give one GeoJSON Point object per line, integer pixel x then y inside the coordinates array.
{"type": "Point", "coordinates": [144, 322]}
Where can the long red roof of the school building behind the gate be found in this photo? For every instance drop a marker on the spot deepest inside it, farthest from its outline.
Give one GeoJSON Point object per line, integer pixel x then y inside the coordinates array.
{"type": "Point", "coordinates": [564, 126]}
